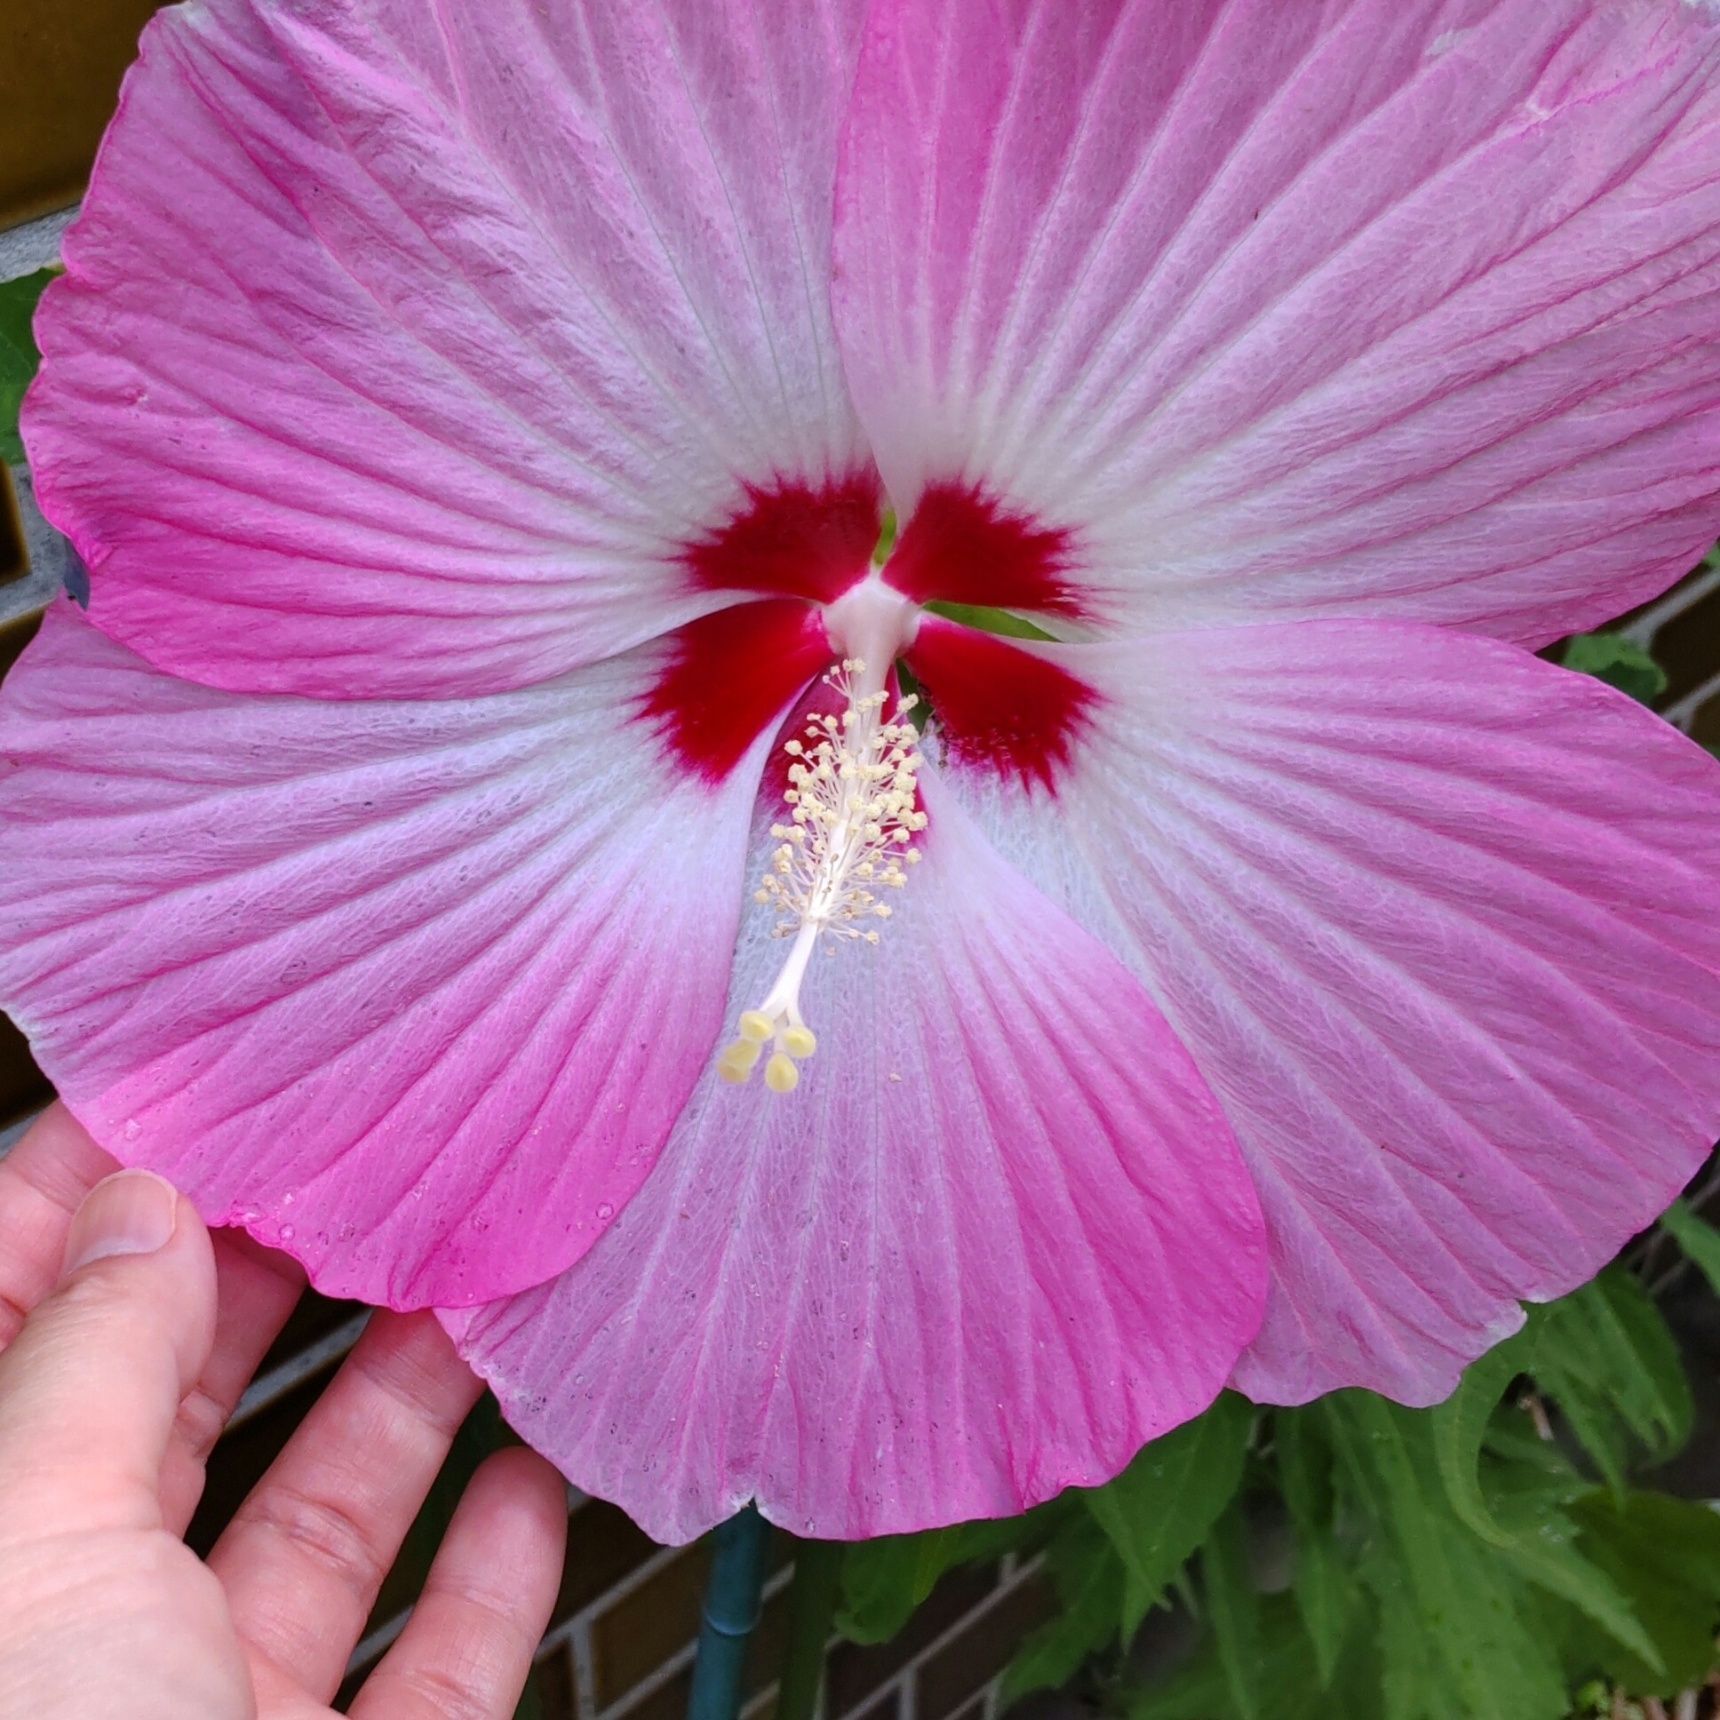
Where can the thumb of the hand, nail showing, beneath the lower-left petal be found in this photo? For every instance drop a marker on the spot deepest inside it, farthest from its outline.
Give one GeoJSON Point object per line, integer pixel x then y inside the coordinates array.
{"type": "Point", "coordinates": [92, 1385]}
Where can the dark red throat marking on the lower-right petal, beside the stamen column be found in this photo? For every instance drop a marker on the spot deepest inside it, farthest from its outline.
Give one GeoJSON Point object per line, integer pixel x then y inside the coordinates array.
{"type": "Point", "coordinates": [997, 706]}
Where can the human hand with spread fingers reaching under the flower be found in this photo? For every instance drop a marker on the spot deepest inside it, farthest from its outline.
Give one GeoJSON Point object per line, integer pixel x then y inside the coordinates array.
{"type": "Point", "coordinates": [116, 1380]}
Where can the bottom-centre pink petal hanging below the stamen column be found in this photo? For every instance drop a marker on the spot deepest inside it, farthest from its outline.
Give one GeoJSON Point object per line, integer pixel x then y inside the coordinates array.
{"type": "Point", "coordinates": [995, 1243]}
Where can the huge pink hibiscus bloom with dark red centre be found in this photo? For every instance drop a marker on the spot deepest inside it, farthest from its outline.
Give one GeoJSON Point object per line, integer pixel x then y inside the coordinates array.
{"type": "Point", "coordinates": [479, 424]}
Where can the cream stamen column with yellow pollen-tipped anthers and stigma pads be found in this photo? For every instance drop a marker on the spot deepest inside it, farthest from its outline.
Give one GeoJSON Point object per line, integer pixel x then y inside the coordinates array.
{"type": "Point", "coordinates": [854, 802]}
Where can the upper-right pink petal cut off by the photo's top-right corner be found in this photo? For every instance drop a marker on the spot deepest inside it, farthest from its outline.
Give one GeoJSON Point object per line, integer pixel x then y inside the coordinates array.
{"type": "Point", "coordinates": [1298, 310]}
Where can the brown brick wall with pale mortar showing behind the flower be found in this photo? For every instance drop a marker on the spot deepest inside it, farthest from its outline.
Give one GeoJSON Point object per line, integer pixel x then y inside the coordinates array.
{"type": "Point", "coordinates": [622, 1638]}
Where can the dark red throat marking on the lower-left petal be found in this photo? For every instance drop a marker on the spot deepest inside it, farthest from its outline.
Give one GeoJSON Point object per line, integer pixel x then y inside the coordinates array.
{"type": "Point", "coordinates": [730, 677]}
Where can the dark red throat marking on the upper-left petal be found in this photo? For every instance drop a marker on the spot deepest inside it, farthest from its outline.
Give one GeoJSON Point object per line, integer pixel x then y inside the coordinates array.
{"type": "Point", "coordinates": [794, 539]}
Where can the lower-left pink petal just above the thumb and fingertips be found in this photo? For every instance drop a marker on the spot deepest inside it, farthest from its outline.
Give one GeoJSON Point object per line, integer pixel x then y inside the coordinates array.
{"type": "Point", "coordinates": [414, 992]}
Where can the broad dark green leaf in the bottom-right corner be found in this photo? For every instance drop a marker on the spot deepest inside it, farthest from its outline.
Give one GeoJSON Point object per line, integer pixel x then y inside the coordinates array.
{"type": "Point", "coordinates": [1664, 1556]}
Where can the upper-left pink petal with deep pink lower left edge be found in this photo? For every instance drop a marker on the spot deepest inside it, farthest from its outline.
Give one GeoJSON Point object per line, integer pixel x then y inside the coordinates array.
{"type": "Point", "coordinates": [414, 350]}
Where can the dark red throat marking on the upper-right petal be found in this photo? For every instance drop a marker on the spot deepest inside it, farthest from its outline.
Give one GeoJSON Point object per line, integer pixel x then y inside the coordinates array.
{"type": "Point", "coordinates": [966, 548]}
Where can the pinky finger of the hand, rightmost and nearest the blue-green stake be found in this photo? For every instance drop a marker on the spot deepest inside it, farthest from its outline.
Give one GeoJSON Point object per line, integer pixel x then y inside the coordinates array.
{"type": "Point", "coordinates": [467, 1649]}
